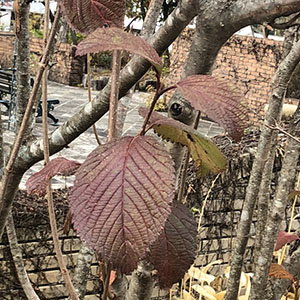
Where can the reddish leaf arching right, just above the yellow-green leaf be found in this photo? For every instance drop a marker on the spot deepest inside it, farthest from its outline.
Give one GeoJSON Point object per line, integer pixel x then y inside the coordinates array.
{"type": "Point", "coordinates": [217, 100]}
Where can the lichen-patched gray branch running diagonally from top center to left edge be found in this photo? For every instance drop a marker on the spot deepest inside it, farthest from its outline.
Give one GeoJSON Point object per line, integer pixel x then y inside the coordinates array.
{"type": "Point", "coordinates": [93, 111]}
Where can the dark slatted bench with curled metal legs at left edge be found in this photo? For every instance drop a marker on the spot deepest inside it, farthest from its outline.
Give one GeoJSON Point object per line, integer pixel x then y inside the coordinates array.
{"type": "Point", "coordinates": [8, 98]}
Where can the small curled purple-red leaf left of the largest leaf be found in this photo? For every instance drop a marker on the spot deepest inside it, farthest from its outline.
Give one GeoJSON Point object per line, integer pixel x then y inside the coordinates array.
{"type": "Point", "coordinates": [37, 183]}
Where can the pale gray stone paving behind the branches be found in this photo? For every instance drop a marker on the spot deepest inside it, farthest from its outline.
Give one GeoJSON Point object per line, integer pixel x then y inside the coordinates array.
{"type": "Point", "coordinates": [71, 100]}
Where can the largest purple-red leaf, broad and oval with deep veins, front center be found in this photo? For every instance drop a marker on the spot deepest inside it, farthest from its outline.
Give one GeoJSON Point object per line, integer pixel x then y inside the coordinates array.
{"type": "Point", "coordinates": [122, 197]}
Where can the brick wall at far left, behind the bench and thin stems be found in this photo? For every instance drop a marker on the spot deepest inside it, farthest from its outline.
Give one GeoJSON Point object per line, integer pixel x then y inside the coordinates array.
{"type": "Point", "coordinates": [67, 68]}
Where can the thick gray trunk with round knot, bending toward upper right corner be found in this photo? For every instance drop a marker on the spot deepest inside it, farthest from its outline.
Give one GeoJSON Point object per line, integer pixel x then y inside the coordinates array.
{"type": "Point", "coordinates": [216, 21]}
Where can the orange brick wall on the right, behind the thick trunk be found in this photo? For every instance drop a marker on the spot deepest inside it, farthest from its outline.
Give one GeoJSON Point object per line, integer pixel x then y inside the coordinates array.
{"type": "Point", "coordinates": [248, 63]}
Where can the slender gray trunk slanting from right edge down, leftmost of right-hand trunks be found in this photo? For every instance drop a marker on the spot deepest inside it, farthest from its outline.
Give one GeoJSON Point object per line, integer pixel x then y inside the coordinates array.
{"type": "Point", "coordinates": [279, 85]}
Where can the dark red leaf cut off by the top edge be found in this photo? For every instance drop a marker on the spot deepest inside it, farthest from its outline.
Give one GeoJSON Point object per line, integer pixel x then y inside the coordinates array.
{"type": "Point", "coordinates": [85, 16]}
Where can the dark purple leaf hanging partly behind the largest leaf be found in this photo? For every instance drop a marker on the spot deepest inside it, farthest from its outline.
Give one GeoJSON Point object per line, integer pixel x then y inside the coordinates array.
{"type": "Point", "coordinates": [174, 251]}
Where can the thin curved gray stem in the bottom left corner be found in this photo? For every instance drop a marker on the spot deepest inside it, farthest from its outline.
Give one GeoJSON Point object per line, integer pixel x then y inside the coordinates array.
{"type": "Point", "coordinates": [18, 260]}
